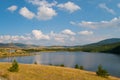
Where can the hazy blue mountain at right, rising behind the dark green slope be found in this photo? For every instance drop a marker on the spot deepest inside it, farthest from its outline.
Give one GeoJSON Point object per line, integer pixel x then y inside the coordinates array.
{"type": "Point", "coordinates": [105, 42]}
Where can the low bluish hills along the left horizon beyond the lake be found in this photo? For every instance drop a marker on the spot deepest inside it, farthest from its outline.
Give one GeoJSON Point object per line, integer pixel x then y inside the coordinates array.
{"type": "Point", "coordinates": [16, 45]}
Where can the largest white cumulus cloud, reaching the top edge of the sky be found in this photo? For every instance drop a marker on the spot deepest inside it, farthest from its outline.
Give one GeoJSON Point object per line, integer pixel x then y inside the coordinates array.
{"type": "Point", "coordinates": [45, 9]}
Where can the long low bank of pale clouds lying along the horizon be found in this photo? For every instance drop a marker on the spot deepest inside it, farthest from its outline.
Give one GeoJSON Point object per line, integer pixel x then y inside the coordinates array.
{"type": "Point", "coordinates": [39, 38]}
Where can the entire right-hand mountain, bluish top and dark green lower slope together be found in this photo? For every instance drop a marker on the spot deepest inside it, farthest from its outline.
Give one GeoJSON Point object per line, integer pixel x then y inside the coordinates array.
{"type": "Point", "coordinates": [108, 46]}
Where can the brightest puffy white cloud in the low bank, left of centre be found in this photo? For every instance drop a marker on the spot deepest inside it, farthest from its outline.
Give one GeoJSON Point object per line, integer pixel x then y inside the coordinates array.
{"type": "Point", "coordinates": [39, 35]}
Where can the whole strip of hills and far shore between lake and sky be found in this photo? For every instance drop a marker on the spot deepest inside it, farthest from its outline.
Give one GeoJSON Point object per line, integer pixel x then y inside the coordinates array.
{"type": "Point", "coordinates": [108, 46]}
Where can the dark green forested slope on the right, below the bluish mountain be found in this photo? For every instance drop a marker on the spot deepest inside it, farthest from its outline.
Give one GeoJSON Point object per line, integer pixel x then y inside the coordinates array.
{"type": "Point", "coordinates": [108, 48]}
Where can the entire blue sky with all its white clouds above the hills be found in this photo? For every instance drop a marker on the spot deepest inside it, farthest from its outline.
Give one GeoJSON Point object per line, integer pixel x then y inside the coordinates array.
{"type": "Point", "coordinates": [59, 22]}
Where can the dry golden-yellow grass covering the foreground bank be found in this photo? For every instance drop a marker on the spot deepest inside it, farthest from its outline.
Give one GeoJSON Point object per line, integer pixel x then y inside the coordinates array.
{"type": "Point", "coordinates": [41, 72]}
